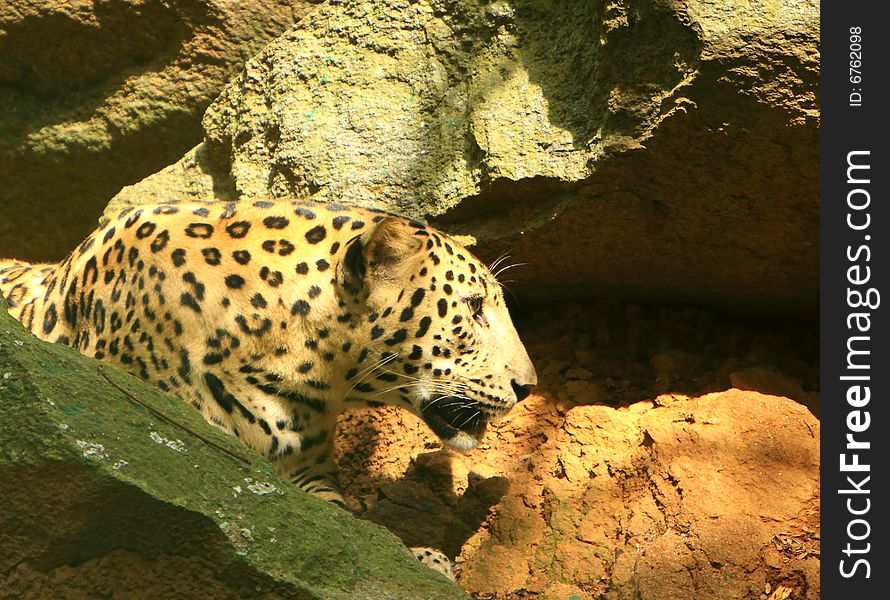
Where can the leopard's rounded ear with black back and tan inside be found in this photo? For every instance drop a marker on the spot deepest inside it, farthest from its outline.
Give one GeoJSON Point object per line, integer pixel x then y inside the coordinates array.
{"type": "Point", "coordinates": [380, 252]}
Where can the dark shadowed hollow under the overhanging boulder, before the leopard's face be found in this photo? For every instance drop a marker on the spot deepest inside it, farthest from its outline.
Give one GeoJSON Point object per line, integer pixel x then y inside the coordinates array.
{"type": "Point", "coordinates": [617, 354]}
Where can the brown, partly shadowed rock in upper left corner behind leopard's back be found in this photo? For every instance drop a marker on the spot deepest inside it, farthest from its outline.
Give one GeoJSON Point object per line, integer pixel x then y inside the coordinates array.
{"type": "Point", "coordinates": [98, 95]}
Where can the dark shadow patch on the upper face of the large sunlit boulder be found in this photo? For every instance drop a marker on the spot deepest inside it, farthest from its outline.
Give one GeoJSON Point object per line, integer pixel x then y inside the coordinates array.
{"type": "Point", "coordinates": [599, 65]}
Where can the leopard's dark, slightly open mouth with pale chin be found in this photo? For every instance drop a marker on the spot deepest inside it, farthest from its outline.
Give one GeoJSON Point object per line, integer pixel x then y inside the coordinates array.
{"type": "Point", "coordinates": [457, 423]}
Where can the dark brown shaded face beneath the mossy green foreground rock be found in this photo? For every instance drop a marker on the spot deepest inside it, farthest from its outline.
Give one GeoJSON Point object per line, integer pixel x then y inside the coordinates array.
{"type": "Point", "coordinates": [87, 541]}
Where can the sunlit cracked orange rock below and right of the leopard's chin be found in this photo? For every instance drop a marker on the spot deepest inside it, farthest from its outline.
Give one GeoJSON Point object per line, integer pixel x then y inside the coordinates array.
{"type": "Point", "coordinates": [708, 498]}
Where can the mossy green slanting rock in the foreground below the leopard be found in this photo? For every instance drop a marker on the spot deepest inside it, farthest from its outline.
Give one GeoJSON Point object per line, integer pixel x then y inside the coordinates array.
{"type": "Point", "coordinates": [113, 489]}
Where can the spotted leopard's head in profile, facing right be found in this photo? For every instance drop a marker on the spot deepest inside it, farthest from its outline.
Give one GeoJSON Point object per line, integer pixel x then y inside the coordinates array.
{"type": "Point", "coordinates": [440, 337]}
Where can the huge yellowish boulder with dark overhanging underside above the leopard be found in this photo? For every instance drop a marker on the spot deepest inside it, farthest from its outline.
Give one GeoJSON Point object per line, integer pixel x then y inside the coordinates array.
{"type": "Point", "coordinates": [665, 151]}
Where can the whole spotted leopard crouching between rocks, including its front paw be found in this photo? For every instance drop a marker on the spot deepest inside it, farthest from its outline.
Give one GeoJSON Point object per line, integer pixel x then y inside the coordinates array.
{"type": "Point", "coordinates": [272, 317]}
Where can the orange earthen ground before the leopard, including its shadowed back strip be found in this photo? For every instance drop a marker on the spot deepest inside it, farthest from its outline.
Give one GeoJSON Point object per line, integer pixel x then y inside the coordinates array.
{"type": "Point", "coordinates": [628, 475]}
